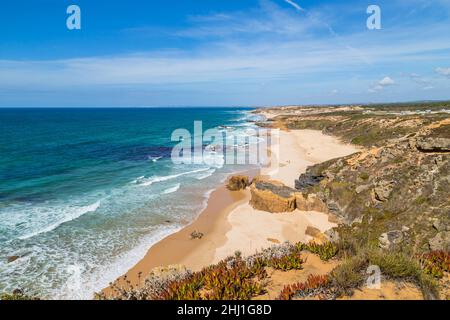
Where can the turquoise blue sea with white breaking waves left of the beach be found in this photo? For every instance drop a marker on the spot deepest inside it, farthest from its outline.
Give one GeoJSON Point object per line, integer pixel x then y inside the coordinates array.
{"type": "Point", "coordinates": [85, 192]}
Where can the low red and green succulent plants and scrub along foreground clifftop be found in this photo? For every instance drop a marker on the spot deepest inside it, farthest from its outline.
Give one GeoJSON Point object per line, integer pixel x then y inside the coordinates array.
{"type": "Point", "coordinates": [236, 277]}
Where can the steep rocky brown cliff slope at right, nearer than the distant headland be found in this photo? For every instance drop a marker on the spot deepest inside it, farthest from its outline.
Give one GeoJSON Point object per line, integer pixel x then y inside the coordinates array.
{"type": "Point", "coordinates": [395, 193]}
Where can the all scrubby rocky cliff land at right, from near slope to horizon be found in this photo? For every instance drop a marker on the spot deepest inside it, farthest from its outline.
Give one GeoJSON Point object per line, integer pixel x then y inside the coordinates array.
{"type": "Point", "coordinates": [394, 193]}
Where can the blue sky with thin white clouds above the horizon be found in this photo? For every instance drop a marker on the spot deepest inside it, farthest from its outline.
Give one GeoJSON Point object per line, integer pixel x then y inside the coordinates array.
{"type": "Point", "coordinates": [138, 53]}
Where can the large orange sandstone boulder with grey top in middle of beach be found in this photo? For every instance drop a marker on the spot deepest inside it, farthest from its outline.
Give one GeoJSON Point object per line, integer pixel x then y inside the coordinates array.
{"type": "Point", "coordinates": [272, 196]}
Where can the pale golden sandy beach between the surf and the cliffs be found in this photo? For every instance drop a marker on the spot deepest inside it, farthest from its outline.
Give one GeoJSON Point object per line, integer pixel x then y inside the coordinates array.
{"type": "Point", "coordinates": [229, 223]}
